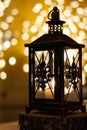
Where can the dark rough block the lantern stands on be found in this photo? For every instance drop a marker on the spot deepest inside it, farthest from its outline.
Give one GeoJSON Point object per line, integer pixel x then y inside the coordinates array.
{"type": "Point", "coordinates": [37, 121]}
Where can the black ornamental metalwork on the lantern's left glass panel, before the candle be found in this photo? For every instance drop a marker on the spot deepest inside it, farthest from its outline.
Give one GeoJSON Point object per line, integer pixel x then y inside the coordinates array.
{"type": "Point", "coordinates": [43, 73]}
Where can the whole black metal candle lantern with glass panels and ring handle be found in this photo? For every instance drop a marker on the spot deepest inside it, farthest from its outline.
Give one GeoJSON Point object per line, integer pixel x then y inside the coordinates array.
{"type": "Point", "coordinates": [55, 70]}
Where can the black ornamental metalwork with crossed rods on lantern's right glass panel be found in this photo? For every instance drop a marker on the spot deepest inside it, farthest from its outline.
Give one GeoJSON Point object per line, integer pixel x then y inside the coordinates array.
{"type": "Point", "coordinates": [73, 74]}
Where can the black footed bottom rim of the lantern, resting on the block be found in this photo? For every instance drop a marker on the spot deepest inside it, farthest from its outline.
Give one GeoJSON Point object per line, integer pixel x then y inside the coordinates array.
{"type": "Point", "coordinates": [58, 111]}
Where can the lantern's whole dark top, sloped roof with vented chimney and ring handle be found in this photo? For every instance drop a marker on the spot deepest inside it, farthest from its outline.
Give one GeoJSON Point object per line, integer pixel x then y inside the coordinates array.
{"type": "Point", "coordinates": [55, 37]}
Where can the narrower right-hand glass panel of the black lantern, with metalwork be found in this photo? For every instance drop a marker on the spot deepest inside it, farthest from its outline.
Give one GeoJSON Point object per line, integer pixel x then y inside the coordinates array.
{"type": "Point", "coordinates": [72, 75]}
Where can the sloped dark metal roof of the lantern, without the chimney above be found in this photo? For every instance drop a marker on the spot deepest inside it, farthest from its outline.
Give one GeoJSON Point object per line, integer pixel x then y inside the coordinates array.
{"type": "Point", "coordinates": [55, 40]}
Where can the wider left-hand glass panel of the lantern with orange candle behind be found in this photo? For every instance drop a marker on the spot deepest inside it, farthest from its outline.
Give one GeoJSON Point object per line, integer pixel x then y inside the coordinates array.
{"type": "Point", "coordinates": [44, 74]}
